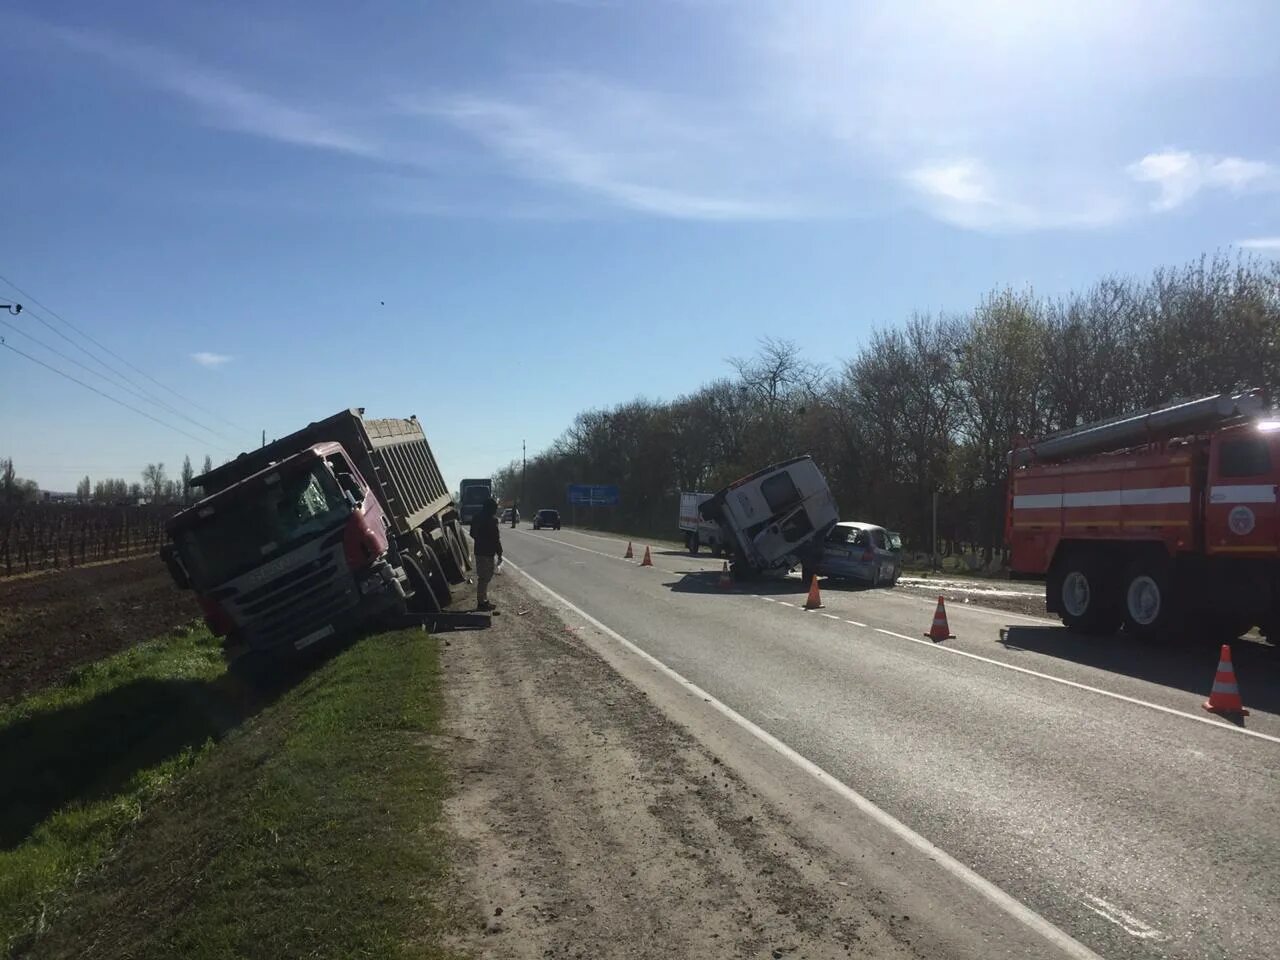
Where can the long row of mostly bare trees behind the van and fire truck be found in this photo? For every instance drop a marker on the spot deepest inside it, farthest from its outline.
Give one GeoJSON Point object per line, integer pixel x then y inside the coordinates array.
{"type": "Point", "coordinates": [930, 405]}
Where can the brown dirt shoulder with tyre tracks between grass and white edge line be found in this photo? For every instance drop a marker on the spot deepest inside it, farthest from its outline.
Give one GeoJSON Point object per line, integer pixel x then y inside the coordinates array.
{"type": "Point", "coordinates": [593, 826]}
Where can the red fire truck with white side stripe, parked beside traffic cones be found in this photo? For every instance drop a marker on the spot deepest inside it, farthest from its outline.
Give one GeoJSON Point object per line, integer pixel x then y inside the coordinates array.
{"type": "Point", "coordinates": [1158, 522]}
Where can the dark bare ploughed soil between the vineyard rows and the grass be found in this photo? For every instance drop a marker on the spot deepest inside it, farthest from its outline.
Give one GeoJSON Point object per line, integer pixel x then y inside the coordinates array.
{"type": "Point", "coordinates": [53, 623]}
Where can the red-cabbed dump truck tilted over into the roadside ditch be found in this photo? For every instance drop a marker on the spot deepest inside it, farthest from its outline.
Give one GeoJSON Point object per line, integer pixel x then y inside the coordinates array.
{"type": "Point", "coordinates": [318, 533]}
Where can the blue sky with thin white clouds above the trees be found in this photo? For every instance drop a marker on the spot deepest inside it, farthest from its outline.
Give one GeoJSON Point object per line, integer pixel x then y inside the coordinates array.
{"type": "Point", "coordinates": [496, 214]}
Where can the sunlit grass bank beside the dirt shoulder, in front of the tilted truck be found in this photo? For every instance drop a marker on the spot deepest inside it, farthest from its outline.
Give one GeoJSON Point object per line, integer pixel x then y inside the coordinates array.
{"type": "Point", "coordinates": [309, 831]}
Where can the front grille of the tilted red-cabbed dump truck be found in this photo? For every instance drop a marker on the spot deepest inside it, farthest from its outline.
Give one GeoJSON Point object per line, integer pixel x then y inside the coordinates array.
{"type": "Point", "coordinates": [295, 604]}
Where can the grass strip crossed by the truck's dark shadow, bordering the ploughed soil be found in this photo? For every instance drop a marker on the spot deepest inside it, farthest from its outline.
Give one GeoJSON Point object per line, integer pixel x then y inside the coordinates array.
{"type": "Point", "coordinates": [83, 761]}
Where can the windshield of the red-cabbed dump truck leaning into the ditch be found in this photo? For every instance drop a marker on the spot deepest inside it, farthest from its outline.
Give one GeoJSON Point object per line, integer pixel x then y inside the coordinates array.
{"type": "Point", "coordinates": [266, 522]}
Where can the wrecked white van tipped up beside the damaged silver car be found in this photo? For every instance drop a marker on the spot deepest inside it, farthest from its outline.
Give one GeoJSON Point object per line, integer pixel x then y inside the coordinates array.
{"type": "Point", "coordinates": [776, 519]}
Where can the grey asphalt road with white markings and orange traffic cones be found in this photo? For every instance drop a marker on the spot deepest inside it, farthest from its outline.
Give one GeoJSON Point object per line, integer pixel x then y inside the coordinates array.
{"type": "Point", "coordinates": [1081, 776]}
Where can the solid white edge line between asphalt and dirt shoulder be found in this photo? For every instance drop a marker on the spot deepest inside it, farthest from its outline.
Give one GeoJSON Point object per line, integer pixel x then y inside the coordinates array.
{"type": "Point", "coordinates": [999, 898]}
